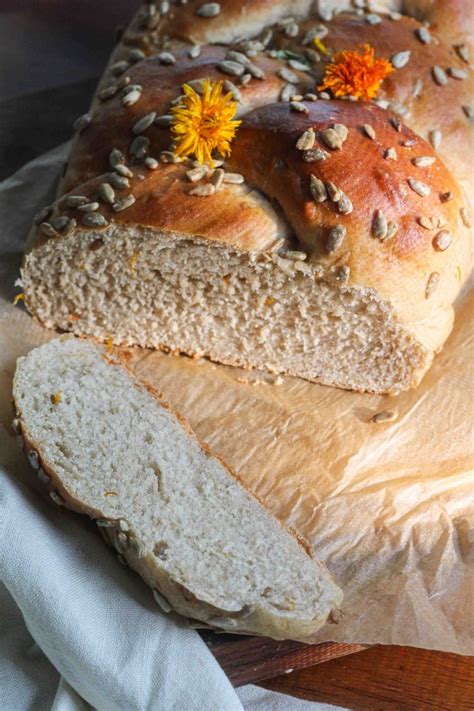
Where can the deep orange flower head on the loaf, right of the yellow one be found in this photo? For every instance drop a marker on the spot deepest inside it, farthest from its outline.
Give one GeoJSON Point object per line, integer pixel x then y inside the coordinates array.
{"type": "Point", "coordinates": [356, 73]}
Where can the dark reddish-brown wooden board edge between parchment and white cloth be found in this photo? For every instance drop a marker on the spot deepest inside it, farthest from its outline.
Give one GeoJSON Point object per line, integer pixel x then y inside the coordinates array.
{"type": "Point", "coordinates": [247, 660]}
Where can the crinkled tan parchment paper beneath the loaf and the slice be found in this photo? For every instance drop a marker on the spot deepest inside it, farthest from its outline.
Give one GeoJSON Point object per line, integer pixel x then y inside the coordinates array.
{"type": "Point", "coordinates": [389, 507]}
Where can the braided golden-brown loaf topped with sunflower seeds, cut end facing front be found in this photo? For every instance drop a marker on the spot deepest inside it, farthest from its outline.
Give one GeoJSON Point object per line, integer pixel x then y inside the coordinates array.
{"type": "Point", "coordinates": [330, 244]}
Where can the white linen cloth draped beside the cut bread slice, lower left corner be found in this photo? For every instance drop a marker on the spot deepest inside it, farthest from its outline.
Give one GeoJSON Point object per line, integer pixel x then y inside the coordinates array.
{"type": "Point", "coordinates": [77, 630]}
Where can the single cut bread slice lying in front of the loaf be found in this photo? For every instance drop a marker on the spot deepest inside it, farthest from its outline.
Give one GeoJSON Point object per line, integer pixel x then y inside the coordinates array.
{"type": "Point", "coordinates": [107, 446]}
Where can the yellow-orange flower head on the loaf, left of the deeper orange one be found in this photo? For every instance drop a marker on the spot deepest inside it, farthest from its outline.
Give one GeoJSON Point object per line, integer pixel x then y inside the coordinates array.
{"type": "Point", "coordinates": [203, 124]}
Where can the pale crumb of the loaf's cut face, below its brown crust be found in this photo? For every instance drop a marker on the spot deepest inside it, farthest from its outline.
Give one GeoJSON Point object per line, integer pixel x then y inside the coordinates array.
{"type": "Point", "coordinates": [140, 287]}
